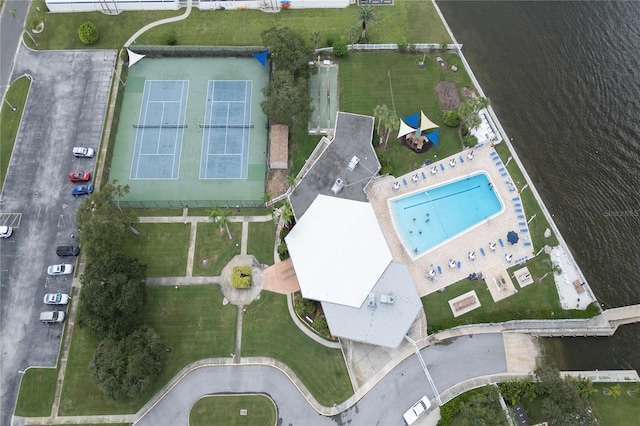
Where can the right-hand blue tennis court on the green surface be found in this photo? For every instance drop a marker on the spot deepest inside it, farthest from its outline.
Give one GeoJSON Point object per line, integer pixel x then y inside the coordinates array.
{"type": "Point", "coordinates": [227, 124]}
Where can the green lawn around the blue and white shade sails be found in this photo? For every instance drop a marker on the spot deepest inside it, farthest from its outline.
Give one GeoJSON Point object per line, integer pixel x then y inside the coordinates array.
{"type": "Point", "coordinates": [413, 90]}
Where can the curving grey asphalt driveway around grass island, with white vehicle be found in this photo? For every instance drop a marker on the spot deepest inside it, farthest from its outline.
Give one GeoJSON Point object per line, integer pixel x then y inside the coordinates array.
{"type": "Point", "coordinates": [449, 363]}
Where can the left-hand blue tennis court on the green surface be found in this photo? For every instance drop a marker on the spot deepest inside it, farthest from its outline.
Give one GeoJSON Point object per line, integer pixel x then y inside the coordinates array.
{"type": "Point", "coordinates": [160, 130]}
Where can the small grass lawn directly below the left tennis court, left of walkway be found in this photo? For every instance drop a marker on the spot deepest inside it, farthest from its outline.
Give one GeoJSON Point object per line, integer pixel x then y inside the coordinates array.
{"type": "Point", "coordinates": [162, 246]}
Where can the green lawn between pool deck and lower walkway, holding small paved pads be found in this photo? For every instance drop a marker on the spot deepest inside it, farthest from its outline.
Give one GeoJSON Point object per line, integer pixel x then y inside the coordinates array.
{"type": "Point", "coordinates": [536, 301]}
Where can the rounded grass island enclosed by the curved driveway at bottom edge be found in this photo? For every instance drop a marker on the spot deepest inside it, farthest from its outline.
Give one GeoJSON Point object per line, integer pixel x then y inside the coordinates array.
{"type": "Point", "coordinates": [225, 410]}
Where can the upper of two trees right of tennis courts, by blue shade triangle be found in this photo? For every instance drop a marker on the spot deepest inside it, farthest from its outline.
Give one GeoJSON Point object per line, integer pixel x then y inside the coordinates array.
{"type": "Point", "coordinates": [288, 51]}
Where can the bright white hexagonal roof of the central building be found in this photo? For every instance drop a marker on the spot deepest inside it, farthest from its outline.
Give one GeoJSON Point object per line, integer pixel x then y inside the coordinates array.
{"type": "Point", "coordinates": [338, 251]}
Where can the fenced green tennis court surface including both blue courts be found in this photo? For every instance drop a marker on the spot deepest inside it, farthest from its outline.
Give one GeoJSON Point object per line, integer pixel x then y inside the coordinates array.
{"type": "Point", "coordinates": [191, 132]}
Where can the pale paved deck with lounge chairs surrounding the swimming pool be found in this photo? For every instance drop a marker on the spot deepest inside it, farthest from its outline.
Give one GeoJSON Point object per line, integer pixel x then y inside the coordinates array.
{"type": "Point", "coordinates": [457, 249]}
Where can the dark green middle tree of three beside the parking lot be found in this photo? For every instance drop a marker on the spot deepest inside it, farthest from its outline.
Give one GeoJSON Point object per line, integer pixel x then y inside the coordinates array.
{"type": "Point", "coordinates": [113, 295]}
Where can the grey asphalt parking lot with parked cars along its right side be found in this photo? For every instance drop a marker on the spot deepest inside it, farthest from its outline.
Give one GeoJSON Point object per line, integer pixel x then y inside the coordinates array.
{"type": "Point", "coordinates": [65, 108]}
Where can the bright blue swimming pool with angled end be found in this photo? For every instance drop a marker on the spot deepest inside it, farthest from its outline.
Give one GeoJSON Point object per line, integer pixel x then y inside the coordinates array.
{"type": "Point", "coordinates": [426, 219]}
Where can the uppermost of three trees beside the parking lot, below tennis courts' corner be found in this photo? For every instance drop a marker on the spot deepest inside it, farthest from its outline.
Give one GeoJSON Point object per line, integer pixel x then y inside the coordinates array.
{"type": "Point", "coordinates": [102, 223]}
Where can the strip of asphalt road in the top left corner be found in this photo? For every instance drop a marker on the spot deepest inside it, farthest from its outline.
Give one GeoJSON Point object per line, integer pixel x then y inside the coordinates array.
{"type": "Point", "coordinates": [10, 37]}
